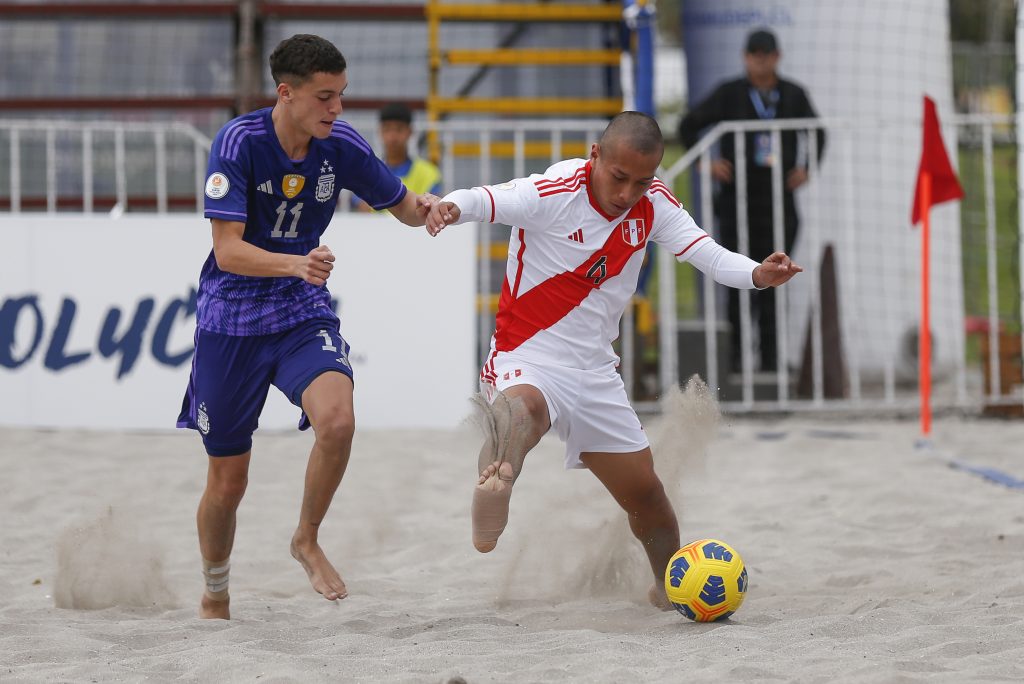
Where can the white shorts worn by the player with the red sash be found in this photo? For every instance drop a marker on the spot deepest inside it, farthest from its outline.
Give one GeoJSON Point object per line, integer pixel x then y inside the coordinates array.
{"type": "Point", "coordinates": [589, 409]}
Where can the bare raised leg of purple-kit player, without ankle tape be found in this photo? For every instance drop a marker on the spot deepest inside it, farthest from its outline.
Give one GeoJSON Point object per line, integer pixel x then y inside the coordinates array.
{"type": "Point", "coordinates": [328, 404]}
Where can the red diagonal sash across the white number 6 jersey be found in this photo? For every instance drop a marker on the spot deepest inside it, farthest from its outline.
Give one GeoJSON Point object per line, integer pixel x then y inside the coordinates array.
{"type": "Point", "coordinates": [522, 318]}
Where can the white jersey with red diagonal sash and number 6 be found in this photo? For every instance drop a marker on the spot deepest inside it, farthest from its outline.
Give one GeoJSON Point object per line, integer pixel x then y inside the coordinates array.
{"type": "Point", "coordinates": [572, 269]}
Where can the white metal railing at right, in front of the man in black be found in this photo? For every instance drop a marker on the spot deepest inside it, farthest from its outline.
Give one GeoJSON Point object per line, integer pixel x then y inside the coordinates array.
{"type": "Point", "coordinates": [698, 160]}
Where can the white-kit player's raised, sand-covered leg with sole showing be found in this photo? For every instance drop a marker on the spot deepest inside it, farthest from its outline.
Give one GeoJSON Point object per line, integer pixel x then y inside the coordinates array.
{"type": "Point", "coordinates": [516, 421]}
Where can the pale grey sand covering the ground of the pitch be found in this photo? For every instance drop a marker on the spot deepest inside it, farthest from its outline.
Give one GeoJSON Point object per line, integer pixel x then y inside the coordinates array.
{"type": "Point", "coordinates": [870, 560]}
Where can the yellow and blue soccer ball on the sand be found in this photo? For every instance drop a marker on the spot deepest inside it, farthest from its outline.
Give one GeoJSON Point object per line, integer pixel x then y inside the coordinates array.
{"type": "Point", "coordinates": [706, 581]}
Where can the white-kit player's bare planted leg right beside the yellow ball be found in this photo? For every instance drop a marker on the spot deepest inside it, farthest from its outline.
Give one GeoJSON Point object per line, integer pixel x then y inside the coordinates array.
{"type": "Point", "coordinates": [631, 480]}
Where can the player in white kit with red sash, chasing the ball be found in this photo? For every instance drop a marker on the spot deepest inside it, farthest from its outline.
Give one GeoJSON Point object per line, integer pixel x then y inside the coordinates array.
{"type": "Point", "coordinates": [580, 232]}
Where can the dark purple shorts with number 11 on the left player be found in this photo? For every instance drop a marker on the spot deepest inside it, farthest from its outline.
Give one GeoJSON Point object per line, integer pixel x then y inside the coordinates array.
{"type": "Point", "coordinates": [232, 376]}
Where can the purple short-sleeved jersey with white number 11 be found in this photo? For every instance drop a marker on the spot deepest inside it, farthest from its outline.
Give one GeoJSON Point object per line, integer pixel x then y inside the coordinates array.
{"type": "Point", "coordinates": [286, 206]}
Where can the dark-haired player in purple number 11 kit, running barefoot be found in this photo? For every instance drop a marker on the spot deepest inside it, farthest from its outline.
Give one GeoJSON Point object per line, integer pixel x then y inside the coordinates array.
{"type": "Point", "coordinates": [264, 312]}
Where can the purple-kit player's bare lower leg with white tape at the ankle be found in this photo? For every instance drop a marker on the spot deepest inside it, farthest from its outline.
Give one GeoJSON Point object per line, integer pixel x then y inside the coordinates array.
{"type": "Point", "coordinates": [226, 484]}
